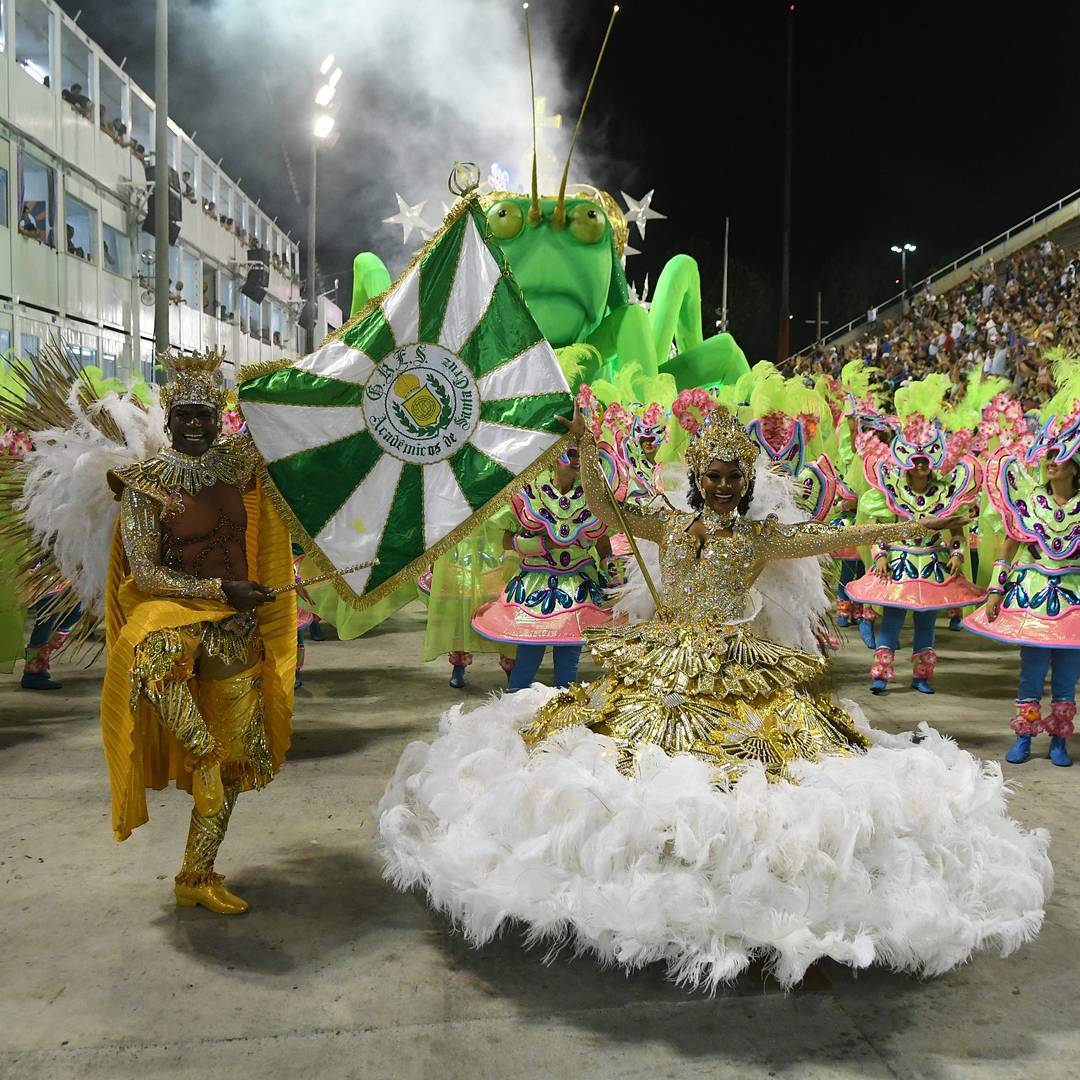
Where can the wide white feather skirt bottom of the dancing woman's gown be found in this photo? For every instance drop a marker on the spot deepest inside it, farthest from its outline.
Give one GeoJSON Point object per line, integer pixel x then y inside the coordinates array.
{"type": "Point", "coordinates": [903, 856]}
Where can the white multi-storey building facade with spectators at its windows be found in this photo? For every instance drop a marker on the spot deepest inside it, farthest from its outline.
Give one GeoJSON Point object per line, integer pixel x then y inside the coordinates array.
{"type": "Point", "coordinates": [76, 134]}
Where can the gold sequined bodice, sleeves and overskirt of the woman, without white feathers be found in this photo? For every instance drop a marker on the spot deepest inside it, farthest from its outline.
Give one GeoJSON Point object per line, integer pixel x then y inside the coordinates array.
{"type": "Point", "coordinates": [695, 679]}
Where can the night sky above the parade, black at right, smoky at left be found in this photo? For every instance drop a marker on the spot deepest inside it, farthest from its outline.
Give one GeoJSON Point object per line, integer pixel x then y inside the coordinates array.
{"type": "Point", "coordinates": [937, 124]}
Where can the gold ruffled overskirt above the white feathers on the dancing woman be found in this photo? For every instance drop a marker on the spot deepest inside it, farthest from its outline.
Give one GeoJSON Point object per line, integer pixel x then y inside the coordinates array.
{"type": "Point", "coordinates": [721, 694]}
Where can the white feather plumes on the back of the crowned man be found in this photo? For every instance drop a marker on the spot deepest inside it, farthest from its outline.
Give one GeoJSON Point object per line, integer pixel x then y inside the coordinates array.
{"type": "Point", "coordinates": [66, 502]}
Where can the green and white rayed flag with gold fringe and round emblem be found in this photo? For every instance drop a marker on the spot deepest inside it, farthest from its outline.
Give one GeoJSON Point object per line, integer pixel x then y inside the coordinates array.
{"type": "Point", "coordinates": [417, 421]}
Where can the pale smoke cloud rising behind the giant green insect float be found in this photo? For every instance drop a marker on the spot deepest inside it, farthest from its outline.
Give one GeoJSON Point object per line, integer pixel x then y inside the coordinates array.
{"type": "Point", "coordinates": [425, 84]}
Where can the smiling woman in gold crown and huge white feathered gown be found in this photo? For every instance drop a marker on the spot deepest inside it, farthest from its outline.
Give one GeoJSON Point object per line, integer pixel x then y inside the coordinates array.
{"type": "Point", "coordinates": [707, 802]}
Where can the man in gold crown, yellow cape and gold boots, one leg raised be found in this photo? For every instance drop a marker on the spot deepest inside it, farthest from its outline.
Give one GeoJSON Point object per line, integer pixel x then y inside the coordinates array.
{"type": "Point", "coordinates": [201, 653]}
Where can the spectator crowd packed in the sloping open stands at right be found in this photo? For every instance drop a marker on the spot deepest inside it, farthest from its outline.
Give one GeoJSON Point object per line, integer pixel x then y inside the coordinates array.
{"type": "Point", "coordinates": [1003, 320]}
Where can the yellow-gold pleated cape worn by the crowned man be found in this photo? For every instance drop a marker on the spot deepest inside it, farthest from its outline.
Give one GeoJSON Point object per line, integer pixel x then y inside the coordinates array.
{"type": "Point", "coordinates": [140, 752]}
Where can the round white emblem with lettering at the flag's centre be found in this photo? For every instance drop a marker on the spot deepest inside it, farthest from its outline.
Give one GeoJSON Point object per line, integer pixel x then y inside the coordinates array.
{"type": "Point", "coordinates": [422, 403]}
